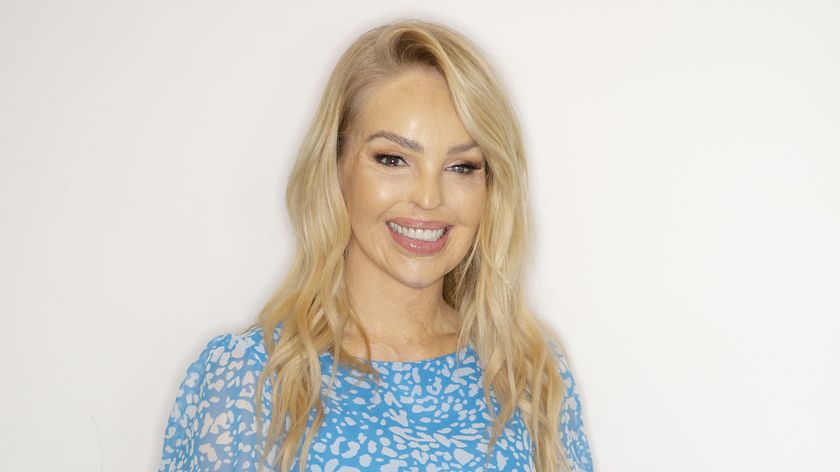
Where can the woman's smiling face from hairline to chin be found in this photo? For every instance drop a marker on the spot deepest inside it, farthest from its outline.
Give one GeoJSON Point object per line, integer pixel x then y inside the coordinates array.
{"type": "Point", "coordinates": [413, 181]}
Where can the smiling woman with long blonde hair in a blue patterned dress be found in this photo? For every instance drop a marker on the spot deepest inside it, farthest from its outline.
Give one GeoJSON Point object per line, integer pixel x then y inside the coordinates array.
{"type": "Point", "coordinates": [400, 339]}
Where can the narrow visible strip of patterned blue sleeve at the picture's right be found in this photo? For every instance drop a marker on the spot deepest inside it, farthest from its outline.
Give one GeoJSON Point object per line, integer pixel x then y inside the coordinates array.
{"type": "Point", "coordinates": [572, 432]}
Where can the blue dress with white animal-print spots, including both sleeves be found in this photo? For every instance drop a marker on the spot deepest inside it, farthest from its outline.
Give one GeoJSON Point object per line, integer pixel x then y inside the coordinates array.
{"type": "Point", "coordinates": [428, 415]}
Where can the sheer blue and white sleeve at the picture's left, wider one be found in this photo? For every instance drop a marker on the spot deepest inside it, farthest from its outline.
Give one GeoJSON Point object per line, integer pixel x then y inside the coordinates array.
{"type": "Point", "coordinates": [212, 423]}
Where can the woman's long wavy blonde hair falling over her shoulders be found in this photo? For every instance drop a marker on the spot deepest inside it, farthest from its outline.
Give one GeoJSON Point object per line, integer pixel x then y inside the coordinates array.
{"type": "Point", "coordinates": [487, 287]}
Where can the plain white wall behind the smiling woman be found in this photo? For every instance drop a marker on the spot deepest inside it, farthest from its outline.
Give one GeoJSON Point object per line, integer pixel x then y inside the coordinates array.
{"type": "Point", "coordinates": [684, 158]}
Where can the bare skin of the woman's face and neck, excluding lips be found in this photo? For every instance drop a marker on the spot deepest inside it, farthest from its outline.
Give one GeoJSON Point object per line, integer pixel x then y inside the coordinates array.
{"type": "Point", "coordinates": [397, 294]}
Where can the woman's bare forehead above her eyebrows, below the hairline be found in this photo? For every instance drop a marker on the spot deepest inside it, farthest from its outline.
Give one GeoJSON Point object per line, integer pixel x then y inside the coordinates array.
{"type": "Point", "coordinates": [416, 103]}
